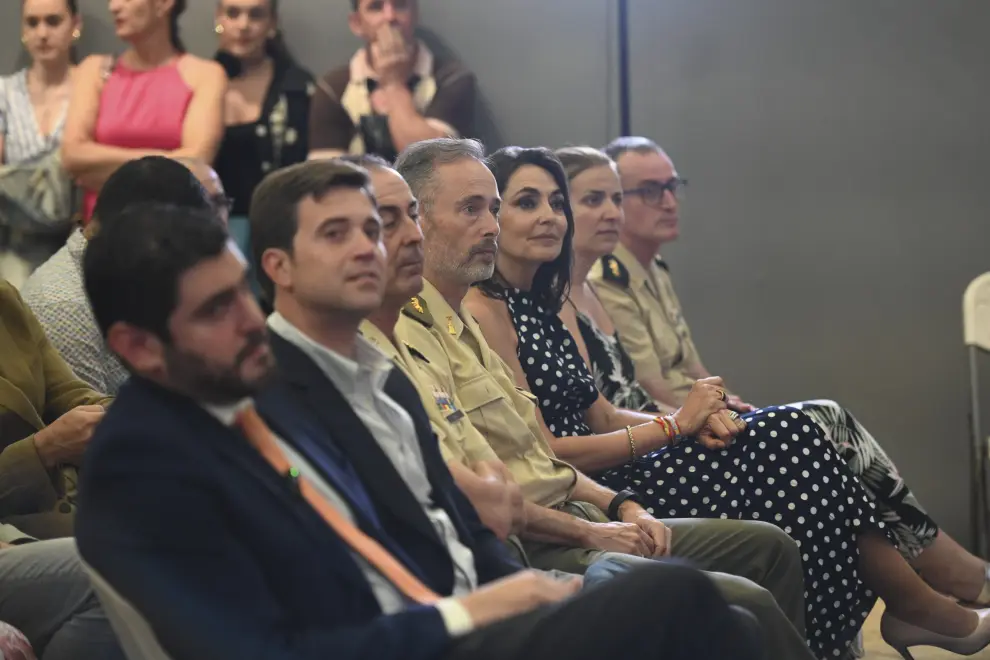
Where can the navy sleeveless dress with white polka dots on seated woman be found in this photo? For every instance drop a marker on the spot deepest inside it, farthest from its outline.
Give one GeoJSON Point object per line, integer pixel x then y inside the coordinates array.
{"type": "Point", "coordinates": [782, 470]}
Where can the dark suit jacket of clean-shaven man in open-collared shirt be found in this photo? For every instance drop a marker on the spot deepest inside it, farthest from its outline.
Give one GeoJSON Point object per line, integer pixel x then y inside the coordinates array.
{"type": "Point", "coordinates": [305, 396]}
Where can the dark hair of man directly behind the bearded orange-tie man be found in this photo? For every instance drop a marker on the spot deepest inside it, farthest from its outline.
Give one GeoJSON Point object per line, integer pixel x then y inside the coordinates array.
{"type": "Point", "coordinates": [150, 179]}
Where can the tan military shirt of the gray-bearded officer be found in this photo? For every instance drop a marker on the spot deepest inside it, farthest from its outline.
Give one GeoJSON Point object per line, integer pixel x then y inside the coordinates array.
{"type": "Point", "coordinates": [502, 414]}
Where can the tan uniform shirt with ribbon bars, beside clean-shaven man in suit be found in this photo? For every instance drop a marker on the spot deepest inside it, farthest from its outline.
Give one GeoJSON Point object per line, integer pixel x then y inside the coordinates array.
{"type": "Point", "coordinates": [459, 440]}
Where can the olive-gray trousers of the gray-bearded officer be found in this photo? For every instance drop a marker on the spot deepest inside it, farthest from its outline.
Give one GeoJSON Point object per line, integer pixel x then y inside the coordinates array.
{"type": "Point", "coordinates": [755, 565]}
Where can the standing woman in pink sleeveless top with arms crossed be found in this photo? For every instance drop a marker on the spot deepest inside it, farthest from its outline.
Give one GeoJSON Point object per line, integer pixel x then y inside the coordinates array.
{"type": "Point", "coordinates": [154, 99]}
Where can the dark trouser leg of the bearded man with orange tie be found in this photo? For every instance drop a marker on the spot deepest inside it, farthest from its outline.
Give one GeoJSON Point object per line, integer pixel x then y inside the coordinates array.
{"type": "Point", "coordinates": [656, 611]}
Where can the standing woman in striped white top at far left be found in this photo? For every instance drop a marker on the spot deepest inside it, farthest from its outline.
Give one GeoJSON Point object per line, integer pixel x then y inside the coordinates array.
{"type": "Point", "coordinates": [33, 107]}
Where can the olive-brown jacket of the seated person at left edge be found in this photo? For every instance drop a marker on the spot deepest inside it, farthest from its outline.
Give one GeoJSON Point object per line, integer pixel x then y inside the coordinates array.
{"type": "Point", "coordinates": [36, 388]}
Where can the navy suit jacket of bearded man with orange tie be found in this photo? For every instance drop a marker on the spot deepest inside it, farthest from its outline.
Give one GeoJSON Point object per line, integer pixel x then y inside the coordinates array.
{"type": "Point", "coordinates": [221, 555]}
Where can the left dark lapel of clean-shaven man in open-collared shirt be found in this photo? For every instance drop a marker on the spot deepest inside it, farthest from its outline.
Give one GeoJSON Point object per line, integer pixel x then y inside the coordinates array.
{"type": "Point", "coordinates": [380, 478]}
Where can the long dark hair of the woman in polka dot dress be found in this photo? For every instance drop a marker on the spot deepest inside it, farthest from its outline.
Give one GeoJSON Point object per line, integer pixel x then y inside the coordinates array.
{"type": "Point", "coordinates": [552, 281]}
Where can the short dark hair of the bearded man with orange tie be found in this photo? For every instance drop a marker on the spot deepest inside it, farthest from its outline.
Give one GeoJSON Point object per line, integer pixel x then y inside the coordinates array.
{"type": "Point", "coordinates": [132, 266]}
